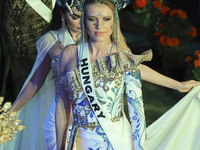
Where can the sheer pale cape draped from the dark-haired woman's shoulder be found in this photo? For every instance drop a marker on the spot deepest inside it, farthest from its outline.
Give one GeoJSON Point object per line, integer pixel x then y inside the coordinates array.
{"type": "Point", "coordinates": [33, 114]}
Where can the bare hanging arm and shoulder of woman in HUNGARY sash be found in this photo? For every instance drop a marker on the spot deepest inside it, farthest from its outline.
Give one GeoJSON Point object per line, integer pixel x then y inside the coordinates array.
{"type": "Point", "coordinates": [63, 104]}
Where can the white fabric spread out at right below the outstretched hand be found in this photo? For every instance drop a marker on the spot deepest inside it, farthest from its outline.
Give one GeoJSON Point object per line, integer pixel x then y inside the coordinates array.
{"type": "Point", "coordinates": [179, 127]}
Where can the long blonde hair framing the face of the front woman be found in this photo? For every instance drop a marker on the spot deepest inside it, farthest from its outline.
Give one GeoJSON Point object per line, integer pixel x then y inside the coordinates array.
{"type": "Point", "coordinates": [116, 35]}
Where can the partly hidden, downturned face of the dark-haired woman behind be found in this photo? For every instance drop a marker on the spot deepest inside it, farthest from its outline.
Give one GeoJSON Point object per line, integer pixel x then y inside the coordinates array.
{"type": "Point", "coordinates": [73, 20]}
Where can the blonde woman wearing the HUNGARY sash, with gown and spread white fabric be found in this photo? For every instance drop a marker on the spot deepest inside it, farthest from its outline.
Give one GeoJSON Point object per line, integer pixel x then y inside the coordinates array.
{"type": "Point", "coordinates": [93, 76]}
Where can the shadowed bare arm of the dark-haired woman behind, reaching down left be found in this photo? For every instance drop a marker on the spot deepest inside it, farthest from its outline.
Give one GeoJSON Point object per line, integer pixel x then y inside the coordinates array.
{"type": "Point", "coordinates": [33, 85]}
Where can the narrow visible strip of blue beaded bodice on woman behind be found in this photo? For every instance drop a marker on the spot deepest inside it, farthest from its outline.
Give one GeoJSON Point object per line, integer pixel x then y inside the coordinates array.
{"type": "Point", "coordinates": [54, 67]}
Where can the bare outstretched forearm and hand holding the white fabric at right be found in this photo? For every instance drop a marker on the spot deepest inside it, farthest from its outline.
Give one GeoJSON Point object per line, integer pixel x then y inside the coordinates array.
{"type": "Point", "coordinates": [152, 76]}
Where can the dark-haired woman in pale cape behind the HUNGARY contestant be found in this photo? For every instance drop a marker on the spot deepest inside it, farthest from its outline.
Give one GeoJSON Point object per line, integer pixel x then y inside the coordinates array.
{"type": "Point", "coordinates": [39, 90]}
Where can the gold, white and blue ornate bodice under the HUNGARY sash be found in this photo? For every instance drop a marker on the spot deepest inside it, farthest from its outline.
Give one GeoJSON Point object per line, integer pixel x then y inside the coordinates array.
{"type": "Point", "coordinates": [109, 86]}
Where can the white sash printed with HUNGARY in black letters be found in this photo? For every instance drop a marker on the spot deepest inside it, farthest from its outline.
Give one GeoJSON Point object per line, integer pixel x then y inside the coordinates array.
{"type": "Point", "coordinates": [88, 87]}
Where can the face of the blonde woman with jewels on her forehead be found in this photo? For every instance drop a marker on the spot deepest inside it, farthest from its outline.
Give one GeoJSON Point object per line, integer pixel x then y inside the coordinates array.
{"type": "Point", "coordinates": [99, 22]}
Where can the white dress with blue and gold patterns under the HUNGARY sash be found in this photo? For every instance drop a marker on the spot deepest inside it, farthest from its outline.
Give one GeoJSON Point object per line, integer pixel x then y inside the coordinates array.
{"type": "Point", "coordinates": [109, 89]}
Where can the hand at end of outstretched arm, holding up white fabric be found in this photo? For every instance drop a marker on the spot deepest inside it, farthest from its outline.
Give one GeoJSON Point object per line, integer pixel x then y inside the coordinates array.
{"type": "Point", "coordinates": [186, 86]}
